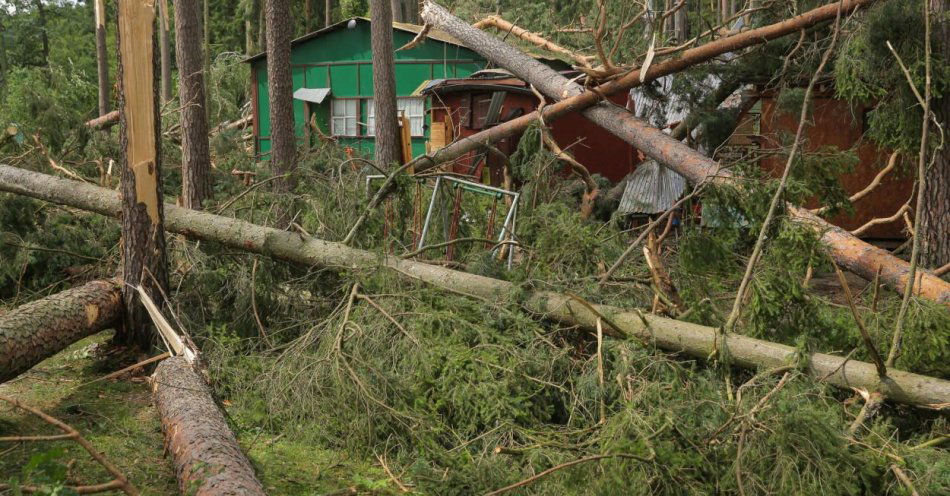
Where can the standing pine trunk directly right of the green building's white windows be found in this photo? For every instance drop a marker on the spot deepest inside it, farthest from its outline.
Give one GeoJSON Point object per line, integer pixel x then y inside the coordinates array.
{"type": "Point", "coordinates": [384, 84]}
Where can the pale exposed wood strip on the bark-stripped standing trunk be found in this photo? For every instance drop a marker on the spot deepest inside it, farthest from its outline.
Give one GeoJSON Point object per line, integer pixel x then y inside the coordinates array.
{"type": "Point", "coordinates": [136, 24]}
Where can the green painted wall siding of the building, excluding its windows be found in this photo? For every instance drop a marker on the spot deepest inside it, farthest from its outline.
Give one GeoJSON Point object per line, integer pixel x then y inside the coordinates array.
{"type": "Point", "coordinates": [342, 60]}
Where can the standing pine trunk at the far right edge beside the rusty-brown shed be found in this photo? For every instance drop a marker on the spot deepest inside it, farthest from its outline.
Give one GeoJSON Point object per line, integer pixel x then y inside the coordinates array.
{"type": "Point", "coordinates": [934, 226]}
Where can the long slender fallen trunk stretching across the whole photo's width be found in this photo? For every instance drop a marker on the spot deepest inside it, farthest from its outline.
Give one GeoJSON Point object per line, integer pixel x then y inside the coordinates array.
{"type": "Point", "coordinates": [692, 339]}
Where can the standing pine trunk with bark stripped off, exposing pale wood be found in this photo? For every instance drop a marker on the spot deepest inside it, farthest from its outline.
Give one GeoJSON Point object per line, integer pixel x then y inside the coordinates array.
{"type": "Point", "coordinates": [143, 236]}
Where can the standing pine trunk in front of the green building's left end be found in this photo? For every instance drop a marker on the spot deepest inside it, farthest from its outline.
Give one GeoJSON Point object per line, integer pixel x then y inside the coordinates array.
{"type": "Point", "coordinates": [280, 92]}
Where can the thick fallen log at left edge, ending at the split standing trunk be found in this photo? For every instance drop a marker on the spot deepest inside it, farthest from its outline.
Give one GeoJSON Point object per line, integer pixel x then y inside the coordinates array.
{"type": "Point", "coordinates": [38, 330]}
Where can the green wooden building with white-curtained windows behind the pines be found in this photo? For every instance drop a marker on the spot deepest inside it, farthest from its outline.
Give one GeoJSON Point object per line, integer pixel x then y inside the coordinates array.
{"type": "Point", "coordinates": [333, 82]}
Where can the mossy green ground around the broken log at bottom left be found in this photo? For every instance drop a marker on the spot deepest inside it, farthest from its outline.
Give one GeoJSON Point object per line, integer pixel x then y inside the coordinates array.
{"type": "Point", "coordinates": [119, 418]}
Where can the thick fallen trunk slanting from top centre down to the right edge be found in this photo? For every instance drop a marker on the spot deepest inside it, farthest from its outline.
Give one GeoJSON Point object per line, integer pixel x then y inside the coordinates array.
{"type": "Point", "coordinates": [848, 251]}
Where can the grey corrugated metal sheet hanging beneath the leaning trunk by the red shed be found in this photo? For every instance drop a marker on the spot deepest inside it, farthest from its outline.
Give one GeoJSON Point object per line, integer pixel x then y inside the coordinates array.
{"type": "Point", "coordinates": [651, 189]}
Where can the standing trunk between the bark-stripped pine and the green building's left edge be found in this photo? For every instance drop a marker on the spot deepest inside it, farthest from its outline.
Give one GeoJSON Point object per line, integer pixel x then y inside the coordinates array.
{"type": "Point", "coordinates": [195, 153]}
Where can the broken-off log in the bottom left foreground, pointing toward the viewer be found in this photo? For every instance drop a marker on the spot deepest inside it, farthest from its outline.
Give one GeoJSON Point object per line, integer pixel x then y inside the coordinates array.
{"type": "Point", "coordinates": [207, 457]}
